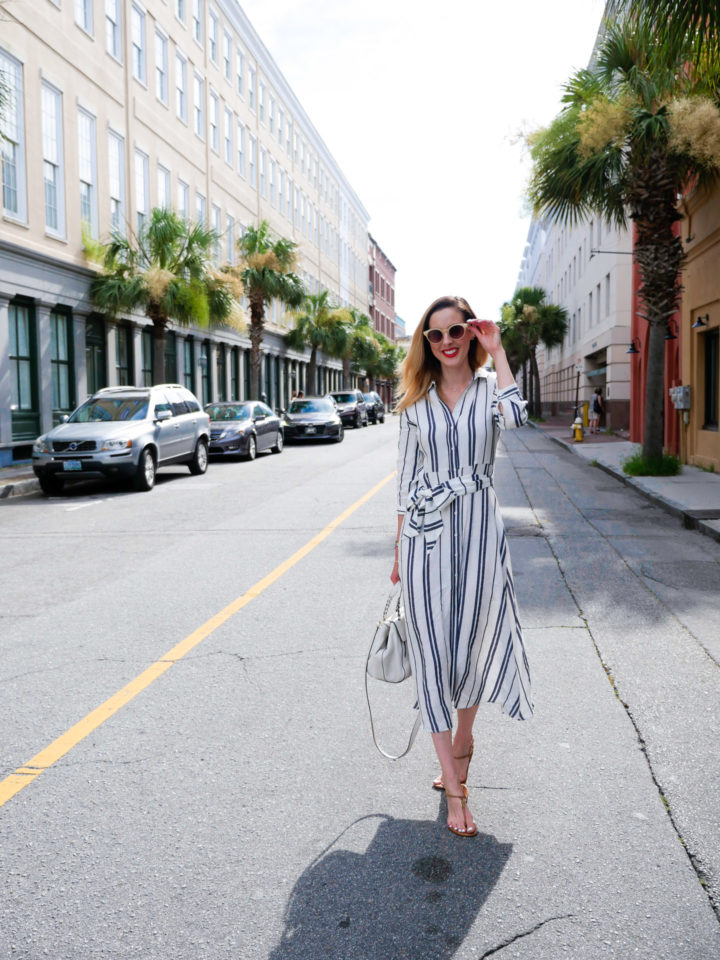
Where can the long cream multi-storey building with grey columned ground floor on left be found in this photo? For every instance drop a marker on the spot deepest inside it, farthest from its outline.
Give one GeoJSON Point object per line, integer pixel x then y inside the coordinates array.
{"type": "Point", "coordinates": [119, 106]}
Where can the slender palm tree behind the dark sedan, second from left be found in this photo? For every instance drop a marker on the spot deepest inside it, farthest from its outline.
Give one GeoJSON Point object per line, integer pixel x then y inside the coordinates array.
{"type": "Point", "coordinates": [267, 272]}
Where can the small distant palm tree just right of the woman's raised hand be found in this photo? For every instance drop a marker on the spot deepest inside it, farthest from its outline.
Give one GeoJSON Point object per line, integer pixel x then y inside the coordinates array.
{"type": "Point", "coordinates": [534, 321]}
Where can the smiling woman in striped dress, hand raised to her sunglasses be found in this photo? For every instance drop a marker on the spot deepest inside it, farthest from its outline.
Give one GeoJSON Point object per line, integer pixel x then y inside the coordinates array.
{"type": "Point", "coordinates": [451, 555]}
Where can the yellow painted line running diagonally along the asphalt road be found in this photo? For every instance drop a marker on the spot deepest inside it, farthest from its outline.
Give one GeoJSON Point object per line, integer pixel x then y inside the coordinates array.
{"type": "Point", "coordinates": [25, 775]}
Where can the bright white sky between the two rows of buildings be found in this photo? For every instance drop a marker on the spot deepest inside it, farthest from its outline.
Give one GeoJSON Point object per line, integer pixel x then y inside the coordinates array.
{"type": "Point", "coordinates": [419, 101]}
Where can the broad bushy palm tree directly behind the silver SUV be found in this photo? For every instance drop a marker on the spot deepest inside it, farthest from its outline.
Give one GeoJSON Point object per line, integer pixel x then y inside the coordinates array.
{"type": "Point", "coordinates": [165, 272]}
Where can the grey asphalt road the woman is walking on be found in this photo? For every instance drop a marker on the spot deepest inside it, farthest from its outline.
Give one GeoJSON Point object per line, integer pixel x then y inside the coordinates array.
{"type": "Point", "coordinates": [235, 807]}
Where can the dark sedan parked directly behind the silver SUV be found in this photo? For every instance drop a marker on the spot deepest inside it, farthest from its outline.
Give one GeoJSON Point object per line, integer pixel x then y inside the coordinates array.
{"type": "Point", "coordinates": [243, 429]}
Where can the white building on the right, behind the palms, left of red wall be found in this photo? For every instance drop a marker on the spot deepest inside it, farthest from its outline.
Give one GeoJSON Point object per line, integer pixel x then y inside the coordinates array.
{"type": "Point", "coordinates": [587, 269]}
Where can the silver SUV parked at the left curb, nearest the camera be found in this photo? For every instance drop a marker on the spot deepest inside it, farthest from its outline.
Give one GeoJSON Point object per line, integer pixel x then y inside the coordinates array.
{"type": "Point", "coordinates": [125, 432]}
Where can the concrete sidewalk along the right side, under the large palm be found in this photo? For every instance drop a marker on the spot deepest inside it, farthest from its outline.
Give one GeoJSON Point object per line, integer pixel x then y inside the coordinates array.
{"type": "Point", "coordinates": [693, 495]}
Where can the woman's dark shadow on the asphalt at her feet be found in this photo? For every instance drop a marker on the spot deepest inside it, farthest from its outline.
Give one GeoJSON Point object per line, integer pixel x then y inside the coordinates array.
{"type": "Point", "coordinates": [414, 894]}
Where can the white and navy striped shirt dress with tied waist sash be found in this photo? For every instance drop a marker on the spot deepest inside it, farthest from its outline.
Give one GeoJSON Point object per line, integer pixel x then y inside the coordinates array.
{"type": "Point", "coordinates": [464, 635]}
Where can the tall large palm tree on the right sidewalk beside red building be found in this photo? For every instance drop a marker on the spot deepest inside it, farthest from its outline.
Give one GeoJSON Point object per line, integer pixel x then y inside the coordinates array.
{"type": "Point", "coordinates": [636, 131]}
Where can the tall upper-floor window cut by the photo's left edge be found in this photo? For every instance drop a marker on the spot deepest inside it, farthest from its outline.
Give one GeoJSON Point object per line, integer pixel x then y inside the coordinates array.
{"type": "Point", "coordinates": [12, 141]}
